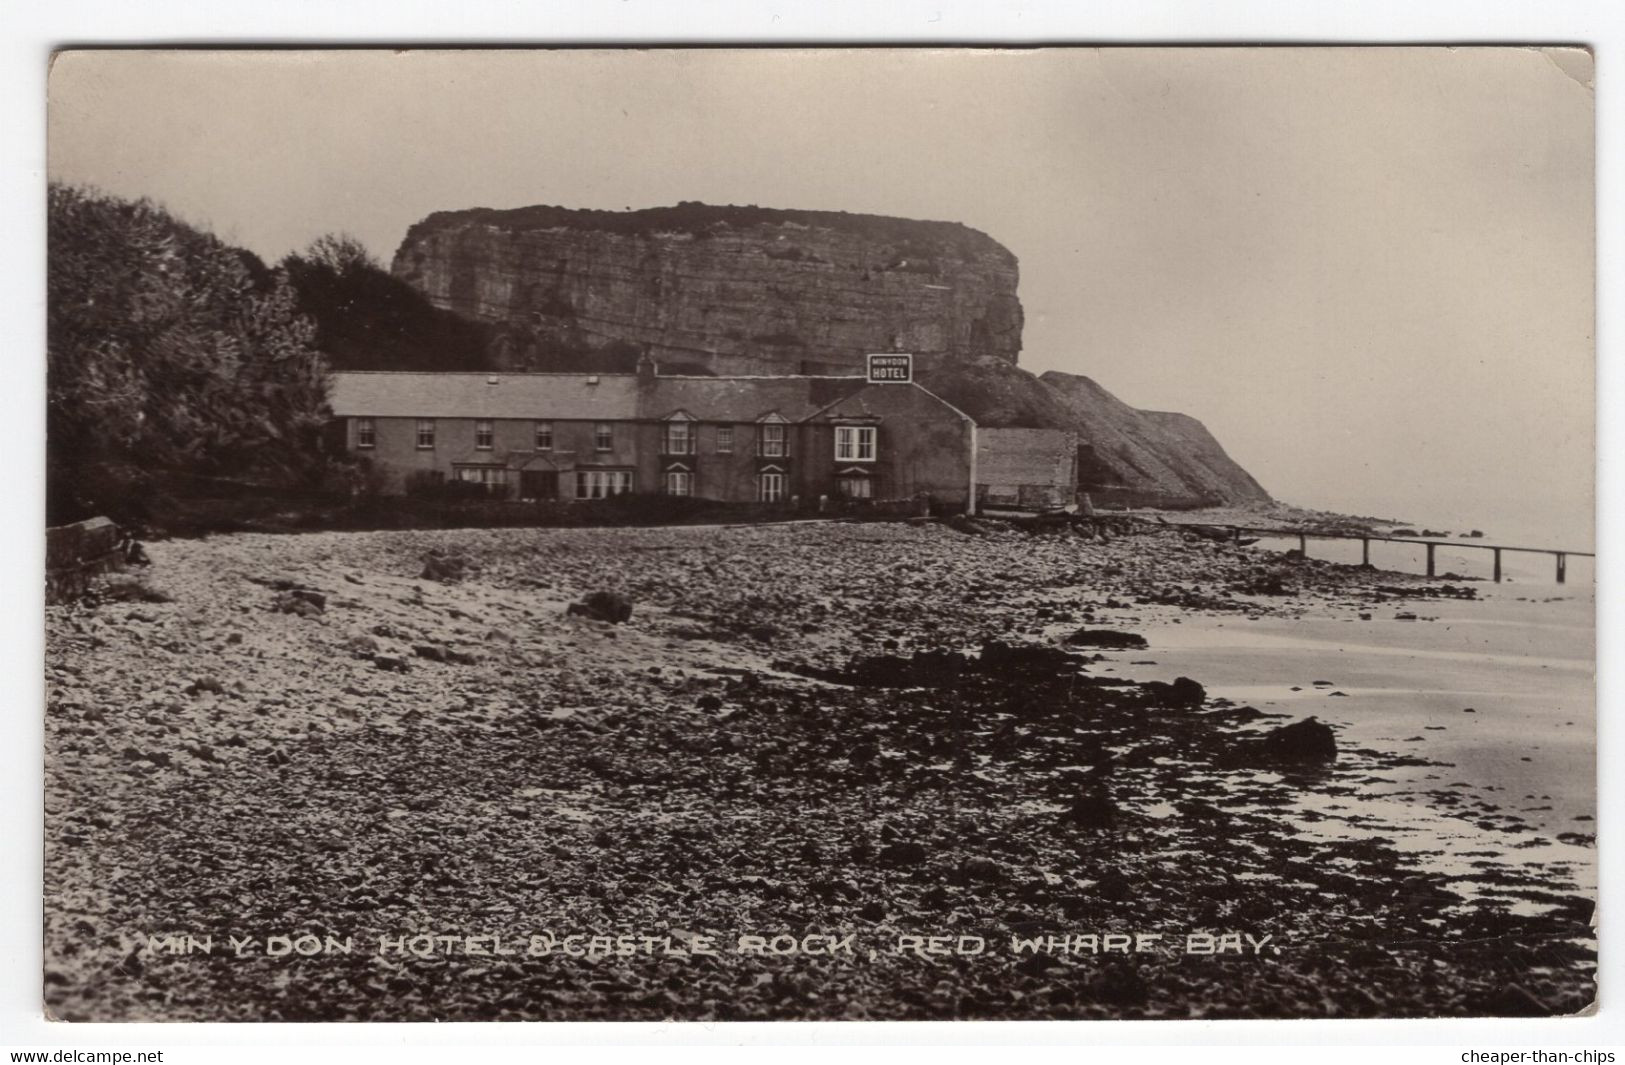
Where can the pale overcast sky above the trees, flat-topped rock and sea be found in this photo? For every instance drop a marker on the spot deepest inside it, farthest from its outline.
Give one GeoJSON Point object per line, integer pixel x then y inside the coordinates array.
{"type": "Point", "coordinates": [1369, 272]}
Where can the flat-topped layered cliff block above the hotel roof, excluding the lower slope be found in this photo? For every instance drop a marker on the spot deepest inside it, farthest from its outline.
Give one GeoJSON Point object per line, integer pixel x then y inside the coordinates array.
{"type": "Point", "coordinates": [719, 289]}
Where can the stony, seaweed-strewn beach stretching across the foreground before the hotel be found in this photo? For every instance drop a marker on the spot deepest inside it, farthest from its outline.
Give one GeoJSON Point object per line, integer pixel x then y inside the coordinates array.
{"type": "Point", "coordinates": [823, 728]}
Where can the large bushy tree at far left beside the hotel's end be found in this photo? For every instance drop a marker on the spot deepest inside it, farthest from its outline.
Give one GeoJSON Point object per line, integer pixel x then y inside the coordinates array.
{"type": "Point", "coordinates": [168, 352]}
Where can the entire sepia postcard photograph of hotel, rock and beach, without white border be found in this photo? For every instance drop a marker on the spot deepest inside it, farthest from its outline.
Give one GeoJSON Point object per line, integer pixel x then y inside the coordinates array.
{"type": "Point", "coordinates": [820, 534]}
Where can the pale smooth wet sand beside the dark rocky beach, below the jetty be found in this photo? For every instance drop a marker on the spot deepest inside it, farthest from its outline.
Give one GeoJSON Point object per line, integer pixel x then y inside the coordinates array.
{"type": "Point", "coordinates": [1514, 780]}
